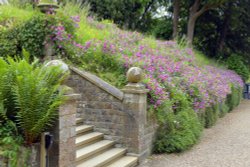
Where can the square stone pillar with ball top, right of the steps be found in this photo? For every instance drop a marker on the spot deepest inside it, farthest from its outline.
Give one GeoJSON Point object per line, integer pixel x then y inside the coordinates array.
{"type": "Point", "coordinates": [135, 104]}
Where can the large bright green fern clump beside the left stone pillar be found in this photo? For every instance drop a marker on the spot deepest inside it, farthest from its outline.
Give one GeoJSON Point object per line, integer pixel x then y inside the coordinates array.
{"type": "Point", "coordinates": [29, 100]}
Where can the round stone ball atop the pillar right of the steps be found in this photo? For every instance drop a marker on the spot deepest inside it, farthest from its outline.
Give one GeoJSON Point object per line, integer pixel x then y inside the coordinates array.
{"type": "Point", "coordinates": [134, 74]}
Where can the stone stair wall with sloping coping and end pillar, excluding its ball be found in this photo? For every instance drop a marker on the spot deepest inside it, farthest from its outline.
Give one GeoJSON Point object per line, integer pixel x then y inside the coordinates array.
{"type": "Point", "coordinates": [120, 115]}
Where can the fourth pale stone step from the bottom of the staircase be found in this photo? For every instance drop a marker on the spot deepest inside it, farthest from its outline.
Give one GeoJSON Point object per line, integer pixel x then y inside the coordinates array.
{"type": "Point", "coordinates": [87, 138]}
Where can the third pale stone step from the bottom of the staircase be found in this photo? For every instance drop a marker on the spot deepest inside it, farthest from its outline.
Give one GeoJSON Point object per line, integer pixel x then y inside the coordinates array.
{"type": "Point", "coordinates": [92, 149]}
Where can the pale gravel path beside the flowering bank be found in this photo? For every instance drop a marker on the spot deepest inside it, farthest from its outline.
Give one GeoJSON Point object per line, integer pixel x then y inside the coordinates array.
{"type": "Point", "coordinates": [227, 144]}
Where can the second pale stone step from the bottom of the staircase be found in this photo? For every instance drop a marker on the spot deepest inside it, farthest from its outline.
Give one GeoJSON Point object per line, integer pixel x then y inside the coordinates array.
{"type": "Point", "coordinates": [104, 158]}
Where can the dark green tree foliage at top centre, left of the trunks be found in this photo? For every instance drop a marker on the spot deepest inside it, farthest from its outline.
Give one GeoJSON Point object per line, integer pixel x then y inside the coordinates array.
{"type": "Point", "coordinates": [128, 14]}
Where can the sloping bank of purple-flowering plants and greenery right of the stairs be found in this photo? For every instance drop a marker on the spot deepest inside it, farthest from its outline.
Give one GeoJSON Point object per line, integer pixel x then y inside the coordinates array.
{"type": "Point", "coordinates": [185, 93]}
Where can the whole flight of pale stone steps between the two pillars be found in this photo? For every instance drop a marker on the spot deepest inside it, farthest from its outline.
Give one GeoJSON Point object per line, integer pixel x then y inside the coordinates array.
{"type": "Point", "coordinates": [94, 151]}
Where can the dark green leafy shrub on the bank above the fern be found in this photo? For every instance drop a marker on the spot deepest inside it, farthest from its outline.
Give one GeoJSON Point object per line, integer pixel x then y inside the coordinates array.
{"type": "Point", "coordinates": [31, 33]}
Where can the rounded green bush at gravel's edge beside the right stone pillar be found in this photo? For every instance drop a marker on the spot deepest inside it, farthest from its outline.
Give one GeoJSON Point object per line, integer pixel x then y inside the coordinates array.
{"type": "Point", "coordinates": [179, 126]}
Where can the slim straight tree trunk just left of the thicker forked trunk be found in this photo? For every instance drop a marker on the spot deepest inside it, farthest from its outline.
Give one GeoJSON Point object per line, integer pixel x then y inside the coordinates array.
{"type": "Point", "coordinates": [176, 18]}
